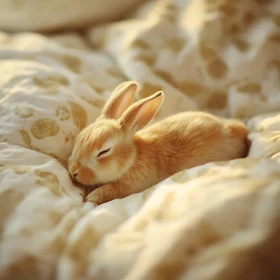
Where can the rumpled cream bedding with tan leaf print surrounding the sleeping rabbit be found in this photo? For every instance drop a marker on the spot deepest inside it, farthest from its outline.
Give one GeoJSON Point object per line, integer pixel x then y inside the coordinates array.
{"type": "Point", "coordinates": [217, 221]}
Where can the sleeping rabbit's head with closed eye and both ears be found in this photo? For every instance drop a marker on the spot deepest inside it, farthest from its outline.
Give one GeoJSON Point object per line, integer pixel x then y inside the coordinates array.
{"type": "Point", "coordinates": [105, 150]}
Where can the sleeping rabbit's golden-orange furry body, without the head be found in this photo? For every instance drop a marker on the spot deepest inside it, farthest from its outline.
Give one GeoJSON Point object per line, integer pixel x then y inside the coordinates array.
{"type": "Point", "coordinates": [183, 141]}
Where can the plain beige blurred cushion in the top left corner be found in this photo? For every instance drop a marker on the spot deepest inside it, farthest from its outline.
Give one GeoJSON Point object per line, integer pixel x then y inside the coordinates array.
{"type": "Point", "coordinates": [34, 15]}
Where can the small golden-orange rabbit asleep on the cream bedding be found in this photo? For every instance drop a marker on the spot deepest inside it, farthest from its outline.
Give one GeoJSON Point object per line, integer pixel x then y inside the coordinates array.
{"type": "Point", "coordinates": [121, 157]}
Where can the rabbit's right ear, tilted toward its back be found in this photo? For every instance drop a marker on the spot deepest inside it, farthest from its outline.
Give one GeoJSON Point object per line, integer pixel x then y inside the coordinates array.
{"type": "Point", "coordinates": [141, 113]}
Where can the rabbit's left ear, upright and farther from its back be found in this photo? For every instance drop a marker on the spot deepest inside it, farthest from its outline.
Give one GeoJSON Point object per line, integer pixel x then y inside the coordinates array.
{"type": "Point", "coordinates": [121, 98]}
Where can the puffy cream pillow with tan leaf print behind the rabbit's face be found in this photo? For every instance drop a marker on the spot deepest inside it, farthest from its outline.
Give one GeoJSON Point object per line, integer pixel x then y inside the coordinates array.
{"type": "Point", "coordinates": [49, 93]}
